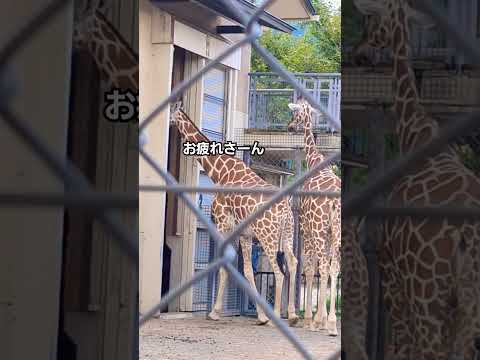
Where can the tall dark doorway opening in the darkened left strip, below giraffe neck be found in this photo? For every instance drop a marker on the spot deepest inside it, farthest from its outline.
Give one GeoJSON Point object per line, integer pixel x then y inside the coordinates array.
{"type": "Point", "coordinates": [78, 225]}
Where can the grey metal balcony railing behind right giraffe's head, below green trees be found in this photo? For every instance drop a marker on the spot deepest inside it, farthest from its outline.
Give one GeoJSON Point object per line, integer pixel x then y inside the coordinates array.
{"type": "Point", "coordinates": [270, 94]}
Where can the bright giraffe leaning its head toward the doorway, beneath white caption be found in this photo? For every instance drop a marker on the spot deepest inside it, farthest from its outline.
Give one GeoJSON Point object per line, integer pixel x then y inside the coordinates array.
{"type": "Point", "coordinates": [270, 228]}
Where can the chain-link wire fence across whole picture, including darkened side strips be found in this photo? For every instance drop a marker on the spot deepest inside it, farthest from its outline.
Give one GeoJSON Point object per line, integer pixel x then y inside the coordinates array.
{"type": "Point", "coordinates": [81, 194]}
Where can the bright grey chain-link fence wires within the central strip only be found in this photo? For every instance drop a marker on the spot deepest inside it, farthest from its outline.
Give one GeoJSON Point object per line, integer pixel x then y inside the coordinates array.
{"type": "Point", "coordinates": [226, 252]}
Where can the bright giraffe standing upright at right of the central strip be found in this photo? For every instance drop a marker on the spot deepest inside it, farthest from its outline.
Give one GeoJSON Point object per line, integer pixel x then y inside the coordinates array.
{"type": "Point", "coordinates": [320, 225]}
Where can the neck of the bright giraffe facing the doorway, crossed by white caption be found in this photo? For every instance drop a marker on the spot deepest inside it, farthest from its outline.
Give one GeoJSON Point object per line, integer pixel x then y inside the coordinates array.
{"type": "Point", "coordinates": [212, 164]}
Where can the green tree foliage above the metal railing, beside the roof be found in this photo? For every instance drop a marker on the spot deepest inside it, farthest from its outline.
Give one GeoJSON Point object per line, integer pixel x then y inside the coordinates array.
{"type": "Point", "coordinates": [318, 50]}
